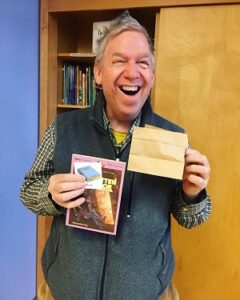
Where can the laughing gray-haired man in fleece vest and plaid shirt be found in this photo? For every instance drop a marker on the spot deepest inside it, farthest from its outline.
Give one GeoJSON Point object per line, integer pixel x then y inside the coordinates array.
{"type": "Point", "coordinates": [137, 263]}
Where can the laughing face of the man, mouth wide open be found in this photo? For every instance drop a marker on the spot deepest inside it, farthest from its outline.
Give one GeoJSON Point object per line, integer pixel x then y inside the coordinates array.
{"type": "Point", "coordinates": [126, 75]}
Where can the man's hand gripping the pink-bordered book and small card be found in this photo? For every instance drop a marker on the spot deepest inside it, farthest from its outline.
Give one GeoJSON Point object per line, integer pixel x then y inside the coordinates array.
{"type": "Point", "coordinates": [65, 187]}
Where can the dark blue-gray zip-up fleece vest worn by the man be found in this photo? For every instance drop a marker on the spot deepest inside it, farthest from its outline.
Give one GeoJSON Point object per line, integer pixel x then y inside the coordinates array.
{"type": "Point", "coordinates": [138, 262]}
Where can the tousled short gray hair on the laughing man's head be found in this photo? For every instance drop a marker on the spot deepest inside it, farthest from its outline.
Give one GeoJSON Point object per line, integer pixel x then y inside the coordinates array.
{"type": "Point", "coordinates": [123, 22]}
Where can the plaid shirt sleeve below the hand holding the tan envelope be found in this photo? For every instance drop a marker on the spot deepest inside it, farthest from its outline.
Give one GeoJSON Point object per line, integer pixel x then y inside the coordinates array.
{"type": "Point", "coordinates": [190, 214]}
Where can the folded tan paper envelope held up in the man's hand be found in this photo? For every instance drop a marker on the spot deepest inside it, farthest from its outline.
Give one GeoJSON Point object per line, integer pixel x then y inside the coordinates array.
{"type": "Point", "coordinates": [157, 151]}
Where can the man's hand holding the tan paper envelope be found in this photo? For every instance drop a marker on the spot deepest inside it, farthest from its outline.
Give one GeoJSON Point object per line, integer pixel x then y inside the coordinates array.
{"type": "Point", "coordinates": [196, 173]}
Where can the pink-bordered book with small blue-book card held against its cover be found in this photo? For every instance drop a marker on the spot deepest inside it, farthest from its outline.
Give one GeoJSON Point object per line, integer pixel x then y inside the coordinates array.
{"type": "Point", "coordinates": [100, 211]}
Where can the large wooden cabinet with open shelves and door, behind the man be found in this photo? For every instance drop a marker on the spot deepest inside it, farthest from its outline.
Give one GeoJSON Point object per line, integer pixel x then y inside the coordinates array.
{"type": "Point", "coordinates": [187, 93]}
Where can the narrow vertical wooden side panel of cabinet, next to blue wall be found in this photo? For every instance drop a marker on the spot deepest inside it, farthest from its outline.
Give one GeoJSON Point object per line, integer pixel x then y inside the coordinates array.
{"type": "Point", "coordinates": [48, 44]}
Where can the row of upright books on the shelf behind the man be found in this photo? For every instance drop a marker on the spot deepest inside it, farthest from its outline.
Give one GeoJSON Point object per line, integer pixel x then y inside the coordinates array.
{"type": "Point", "coordinates": [78, 86]}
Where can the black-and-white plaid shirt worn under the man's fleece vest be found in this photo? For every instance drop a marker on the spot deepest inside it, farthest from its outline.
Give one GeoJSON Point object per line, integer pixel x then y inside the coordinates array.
{"type": "Point", "coordinates": [34, 192]}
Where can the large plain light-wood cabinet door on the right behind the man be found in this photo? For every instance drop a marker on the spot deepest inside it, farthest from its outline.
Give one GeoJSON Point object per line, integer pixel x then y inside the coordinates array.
{"type": "Point", "coordinates": [197, 86]}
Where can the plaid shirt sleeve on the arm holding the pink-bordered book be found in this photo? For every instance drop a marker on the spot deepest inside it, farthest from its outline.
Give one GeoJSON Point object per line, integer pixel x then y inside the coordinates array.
{"type": "Point", "coordinates": [34, 191]}
